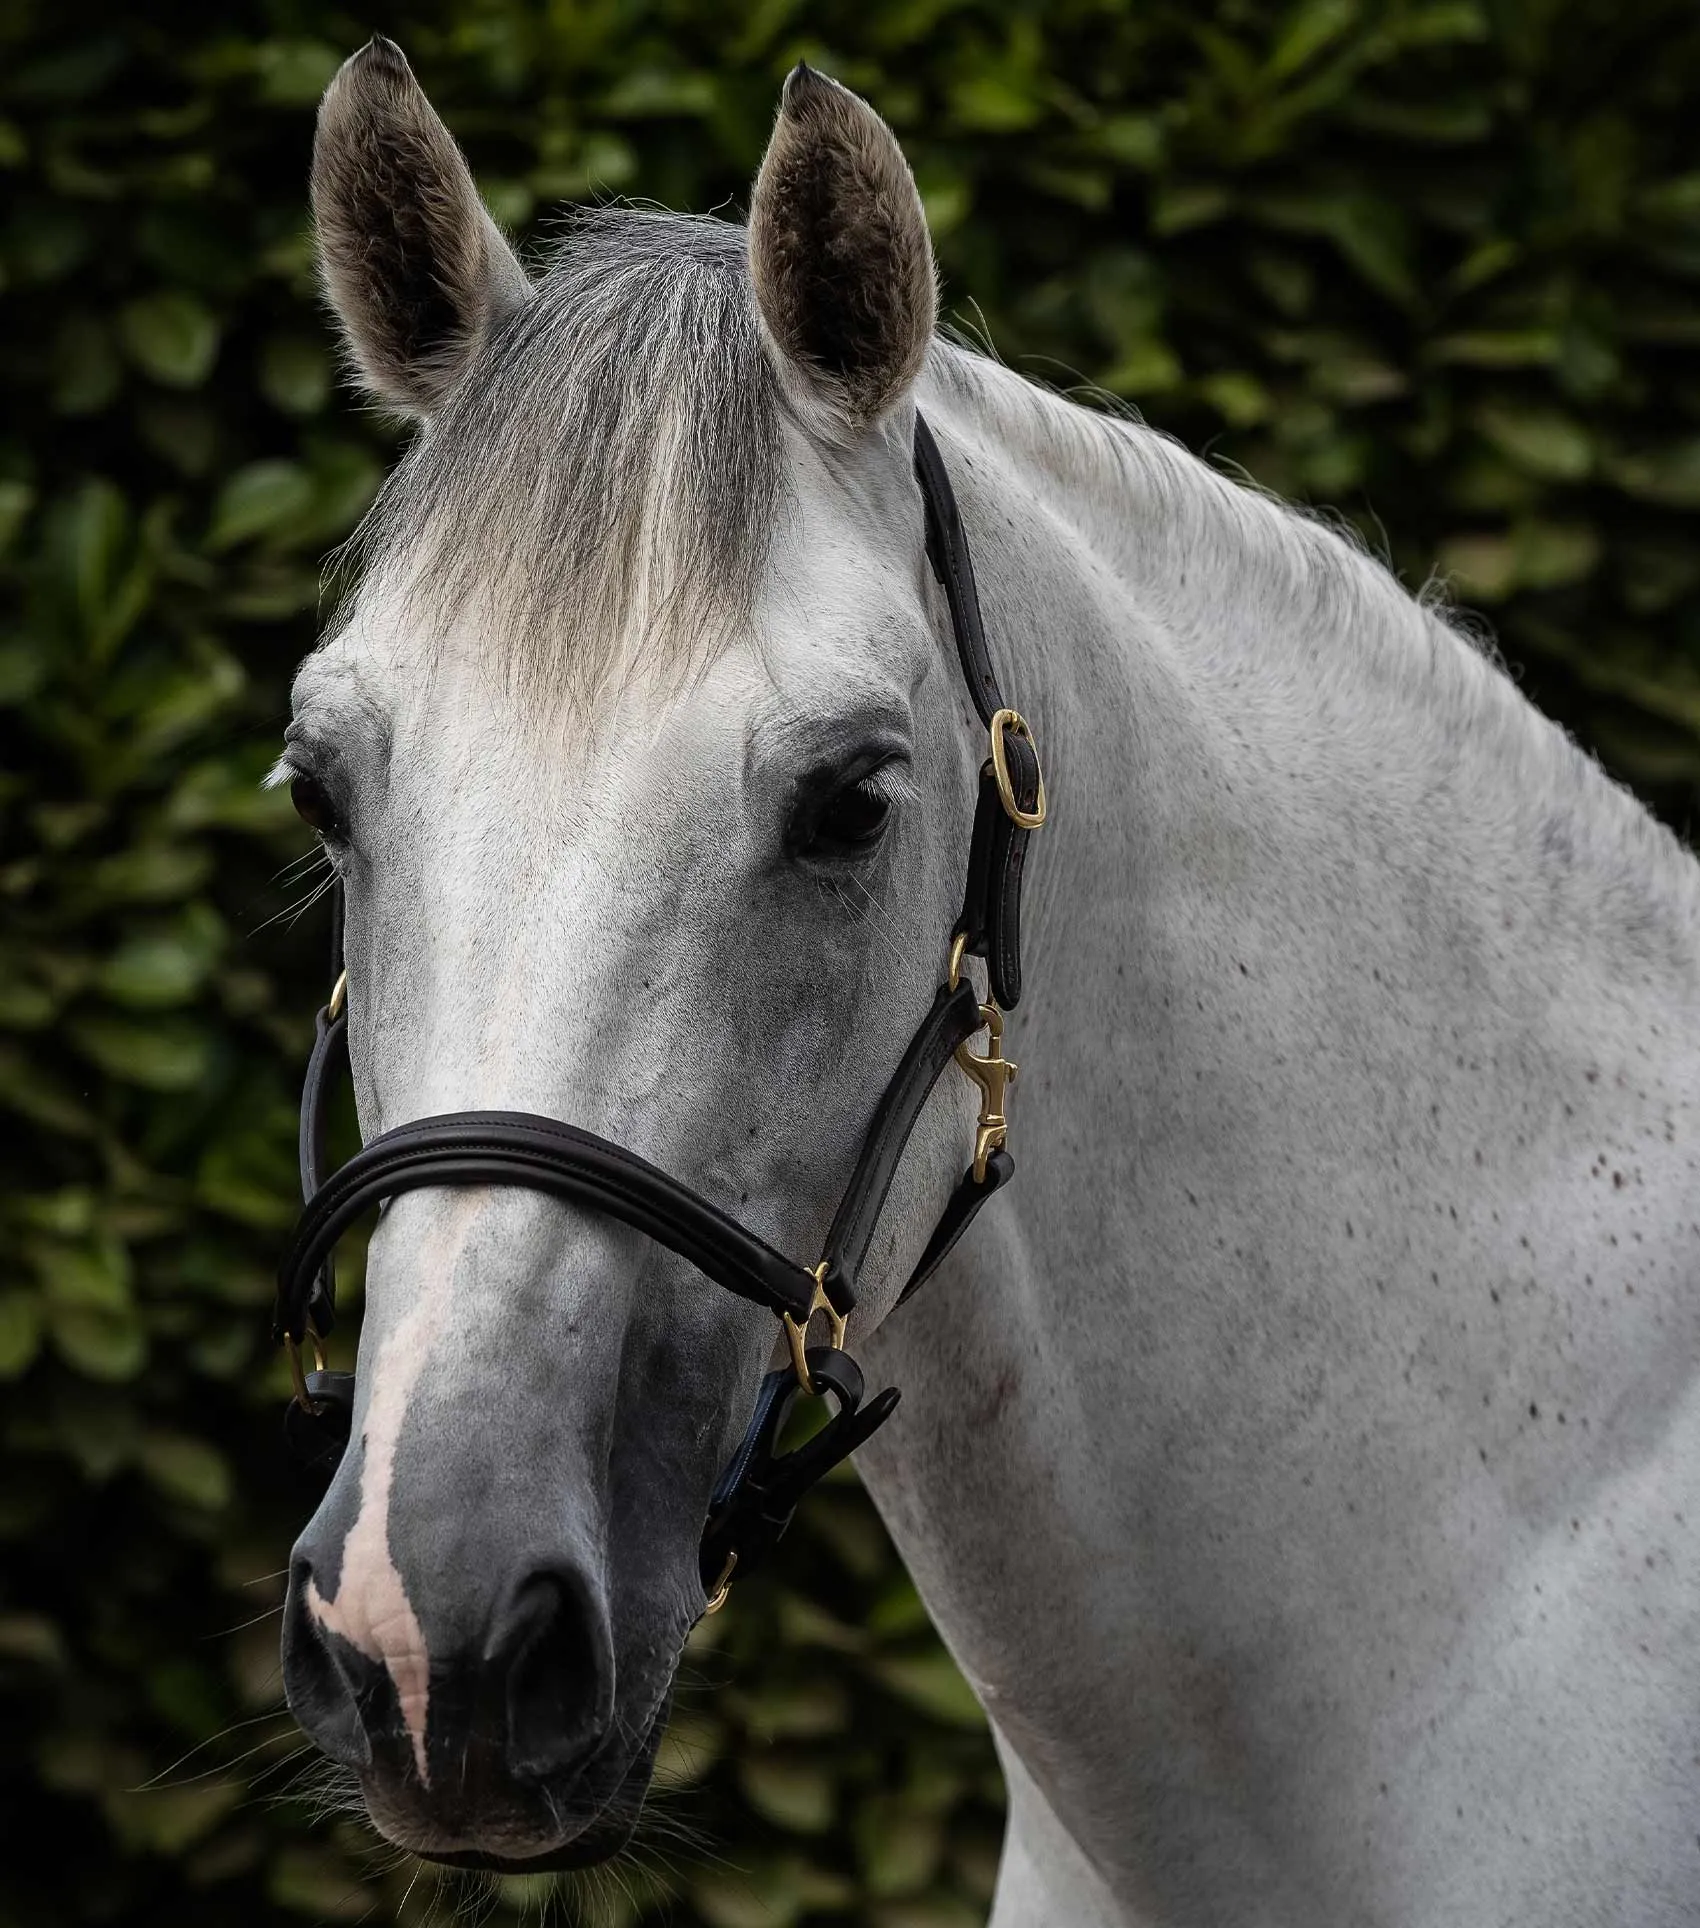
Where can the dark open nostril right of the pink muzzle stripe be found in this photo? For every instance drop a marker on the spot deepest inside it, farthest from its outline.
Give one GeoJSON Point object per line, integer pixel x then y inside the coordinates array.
{"type": "Point", "coordinates": [556, 1649]}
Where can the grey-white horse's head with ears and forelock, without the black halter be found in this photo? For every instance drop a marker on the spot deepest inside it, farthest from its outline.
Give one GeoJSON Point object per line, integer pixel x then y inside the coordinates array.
{"type": "Point", "coordinates": [643, 764]}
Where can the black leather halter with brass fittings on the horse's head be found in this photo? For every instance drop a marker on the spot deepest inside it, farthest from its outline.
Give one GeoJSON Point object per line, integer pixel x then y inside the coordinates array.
{"type": "Point", "coordinates": [760, 1489]}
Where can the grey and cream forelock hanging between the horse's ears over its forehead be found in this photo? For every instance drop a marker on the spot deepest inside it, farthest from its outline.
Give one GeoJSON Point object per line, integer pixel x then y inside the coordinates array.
{"type": "Point", "coordinates": [598, 495]}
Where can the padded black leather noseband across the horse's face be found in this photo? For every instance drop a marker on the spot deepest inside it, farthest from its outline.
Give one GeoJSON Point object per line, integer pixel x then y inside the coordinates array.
{"type": "Point", "coordinates": [498, 1148]}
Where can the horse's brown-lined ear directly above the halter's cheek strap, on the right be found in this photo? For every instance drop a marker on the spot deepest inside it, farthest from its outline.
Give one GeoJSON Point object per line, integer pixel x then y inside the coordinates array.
{"type": "Point", "coordinates": [839, 254]}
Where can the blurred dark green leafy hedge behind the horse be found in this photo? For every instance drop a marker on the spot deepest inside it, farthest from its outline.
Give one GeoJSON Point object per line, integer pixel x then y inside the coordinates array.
{"type": "Point", "coordinates": [1435, 263]}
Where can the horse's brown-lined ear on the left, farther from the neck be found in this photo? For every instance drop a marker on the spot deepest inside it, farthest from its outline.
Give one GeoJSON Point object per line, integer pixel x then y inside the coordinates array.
{"type": "Point", "coordinates": [413, 265]}
